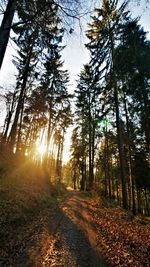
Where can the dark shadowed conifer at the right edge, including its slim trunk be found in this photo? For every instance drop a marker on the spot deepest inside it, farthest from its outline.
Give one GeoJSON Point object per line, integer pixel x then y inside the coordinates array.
{"type": "Point", "coordinates": [132, 67]}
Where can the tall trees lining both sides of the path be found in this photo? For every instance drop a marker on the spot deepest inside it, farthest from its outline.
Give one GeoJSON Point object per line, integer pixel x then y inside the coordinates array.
{"type": "Point", "coordinates": [111, 138]}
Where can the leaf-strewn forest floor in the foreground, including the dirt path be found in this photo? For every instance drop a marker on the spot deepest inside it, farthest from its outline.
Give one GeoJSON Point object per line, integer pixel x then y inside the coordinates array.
{"type": "Point", "coordinates": [79, 232]}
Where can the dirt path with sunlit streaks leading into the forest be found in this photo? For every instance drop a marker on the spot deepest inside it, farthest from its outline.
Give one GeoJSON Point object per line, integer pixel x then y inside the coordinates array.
{"type": "Point", "coordinates": [74, 244]}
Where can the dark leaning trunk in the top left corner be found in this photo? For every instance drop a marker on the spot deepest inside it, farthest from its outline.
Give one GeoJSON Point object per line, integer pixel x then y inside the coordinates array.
{"type": "Point", "coordinates": [6, 27]}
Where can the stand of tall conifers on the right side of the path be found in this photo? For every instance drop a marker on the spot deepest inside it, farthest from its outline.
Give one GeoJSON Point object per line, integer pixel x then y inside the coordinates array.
{"type": "Point", "coordinates": [111, 140]}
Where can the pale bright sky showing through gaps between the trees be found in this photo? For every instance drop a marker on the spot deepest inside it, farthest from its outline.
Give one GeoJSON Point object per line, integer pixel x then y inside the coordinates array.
{"type": "Point", "coordinates": [74, 56]}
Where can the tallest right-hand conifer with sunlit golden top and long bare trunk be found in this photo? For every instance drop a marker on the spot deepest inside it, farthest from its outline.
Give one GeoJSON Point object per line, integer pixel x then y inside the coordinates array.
{"type": "Point", "coordinates": [103, 37]}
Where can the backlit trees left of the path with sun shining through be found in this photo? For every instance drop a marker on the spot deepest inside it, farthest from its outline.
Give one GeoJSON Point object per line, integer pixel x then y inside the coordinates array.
{"type": "Point", "coordinates": [39, 109]}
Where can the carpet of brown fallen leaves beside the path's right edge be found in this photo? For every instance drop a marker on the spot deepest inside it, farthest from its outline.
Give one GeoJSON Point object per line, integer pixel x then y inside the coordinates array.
{"type": "Point", "coordinates": [123, 242]}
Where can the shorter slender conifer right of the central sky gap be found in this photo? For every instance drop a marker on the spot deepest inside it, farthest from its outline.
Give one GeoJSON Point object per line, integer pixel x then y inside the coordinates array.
{"type": "Point", "coordinates": [87, 95]}
